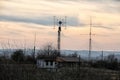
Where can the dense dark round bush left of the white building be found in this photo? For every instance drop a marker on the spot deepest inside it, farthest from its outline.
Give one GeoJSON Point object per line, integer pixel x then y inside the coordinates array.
{"type": "Point", "coordinates": [18, 56]}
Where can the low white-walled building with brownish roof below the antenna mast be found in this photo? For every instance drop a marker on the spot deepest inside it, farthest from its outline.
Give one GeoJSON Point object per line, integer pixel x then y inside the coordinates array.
{"type": "Point", "coordinates": [50, 62]}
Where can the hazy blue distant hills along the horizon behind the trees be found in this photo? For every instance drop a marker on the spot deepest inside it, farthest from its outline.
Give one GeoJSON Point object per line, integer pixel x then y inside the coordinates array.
{"type": "Point", "coordinates": [83, 53]}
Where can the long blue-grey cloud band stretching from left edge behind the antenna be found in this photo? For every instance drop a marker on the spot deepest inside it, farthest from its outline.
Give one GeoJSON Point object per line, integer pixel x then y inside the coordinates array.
{"type": "Point", "coordinates": [48, 21]}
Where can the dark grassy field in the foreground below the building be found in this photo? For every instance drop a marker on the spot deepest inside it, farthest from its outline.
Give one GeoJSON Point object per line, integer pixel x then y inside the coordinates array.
{"type": "Point", "coordinates": [31, 72]}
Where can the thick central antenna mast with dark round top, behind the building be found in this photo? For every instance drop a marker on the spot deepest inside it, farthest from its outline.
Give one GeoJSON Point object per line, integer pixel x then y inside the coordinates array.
{"type": "Point", "coordinates": [60, 22]}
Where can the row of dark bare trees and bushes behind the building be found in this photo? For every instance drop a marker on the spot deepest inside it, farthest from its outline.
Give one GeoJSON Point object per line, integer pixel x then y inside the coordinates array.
{"type": "Point", "coordinates": [19, 57]}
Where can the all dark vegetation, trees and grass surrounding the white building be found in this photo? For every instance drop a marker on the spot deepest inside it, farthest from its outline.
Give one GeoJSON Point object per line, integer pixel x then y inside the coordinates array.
{"type": "Point", "coordinates": [23, 67]}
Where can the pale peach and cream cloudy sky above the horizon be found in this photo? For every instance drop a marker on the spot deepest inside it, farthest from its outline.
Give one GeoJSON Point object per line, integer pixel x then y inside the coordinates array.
{"type": "Point", "coordinates": [21, 20]}
